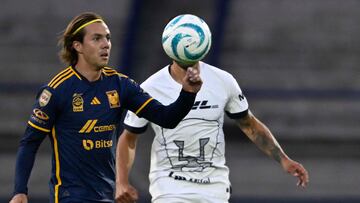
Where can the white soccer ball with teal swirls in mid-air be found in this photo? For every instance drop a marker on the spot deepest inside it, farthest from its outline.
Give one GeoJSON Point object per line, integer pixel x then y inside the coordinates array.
{"type": "Point", "coordinates": [186, 39]}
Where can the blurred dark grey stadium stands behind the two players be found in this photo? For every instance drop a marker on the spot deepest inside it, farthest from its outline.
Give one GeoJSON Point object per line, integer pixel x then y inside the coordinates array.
{"type": "Point", "coordinates": [297, 61]}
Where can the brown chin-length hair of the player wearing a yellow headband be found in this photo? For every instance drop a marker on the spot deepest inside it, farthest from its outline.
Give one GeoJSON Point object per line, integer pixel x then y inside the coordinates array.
{"type": "Point", "coordinates": [67, 53]}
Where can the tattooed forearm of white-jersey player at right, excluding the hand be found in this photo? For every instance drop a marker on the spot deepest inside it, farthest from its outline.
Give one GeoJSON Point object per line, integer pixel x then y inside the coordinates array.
{"type": "Point", "coordinates": [262, 137]}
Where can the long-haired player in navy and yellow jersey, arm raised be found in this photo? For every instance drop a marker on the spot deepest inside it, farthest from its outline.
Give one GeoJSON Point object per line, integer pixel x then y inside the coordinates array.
{"type": "Point", "coordinates": [79, 110]}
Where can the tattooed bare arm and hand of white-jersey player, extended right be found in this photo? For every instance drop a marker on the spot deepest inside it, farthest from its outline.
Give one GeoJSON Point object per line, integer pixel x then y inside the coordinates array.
{"type": "Point", "coordinates": [262, 137]}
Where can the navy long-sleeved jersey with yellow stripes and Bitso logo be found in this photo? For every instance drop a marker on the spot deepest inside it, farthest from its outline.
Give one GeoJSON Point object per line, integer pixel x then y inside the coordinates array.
{"type": "Point", "coordinates": [80, 118]}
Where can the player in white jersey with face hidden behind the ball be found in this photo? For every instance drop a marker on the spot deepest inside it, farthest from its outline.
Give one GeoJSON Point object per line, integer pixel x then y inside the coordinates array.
{"type": "Point", "coordinates": [188, 162]}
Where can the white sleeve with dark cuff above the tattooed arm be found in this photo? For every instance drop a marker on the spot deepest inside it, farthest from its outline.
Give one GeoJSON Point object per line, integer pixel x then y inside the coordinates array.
{"type": "Point", "coordinates": [237, 105]}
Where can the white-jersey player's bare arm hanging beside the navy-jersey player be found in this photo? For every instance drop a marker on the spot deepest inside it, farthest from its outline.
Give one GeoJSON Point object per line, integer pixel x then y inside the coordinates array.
{"type": "Point", "coordinates": [125, 155]}
